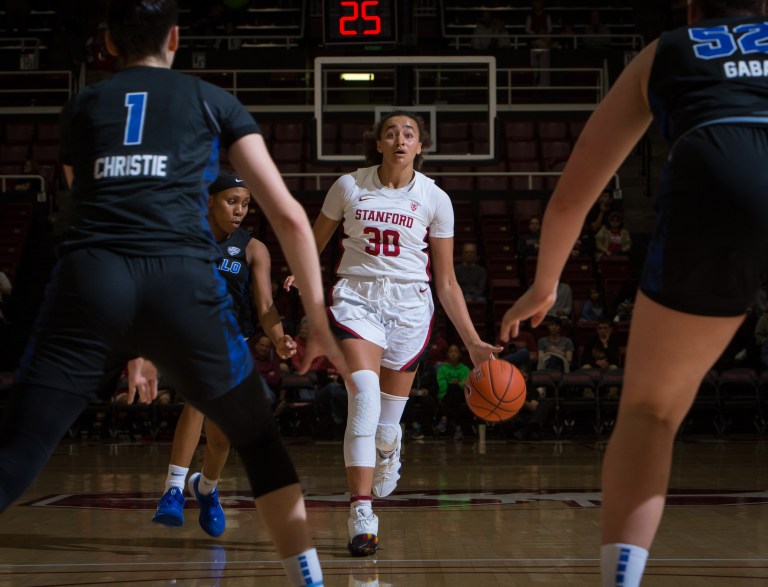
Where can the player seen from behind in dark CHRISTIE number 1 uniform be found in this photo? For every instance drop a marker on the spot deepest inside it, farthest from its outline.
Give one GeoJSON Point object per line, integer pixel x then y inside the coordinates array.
{"type": "Point", "coordinates": [137, 274]}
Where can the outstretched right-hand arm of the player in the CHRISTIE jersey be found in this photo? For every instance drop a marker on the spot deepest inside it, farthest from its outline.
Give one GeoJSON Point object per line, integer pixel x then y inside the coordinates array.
{"type": "Point", "coordinates": [289, 221]}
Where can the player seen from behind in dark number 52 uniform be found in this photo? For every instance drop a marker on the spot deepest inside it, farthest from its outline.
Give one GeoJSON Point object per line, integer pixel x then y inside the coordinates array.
{"type": "Point", "coordinates": [707, 86]}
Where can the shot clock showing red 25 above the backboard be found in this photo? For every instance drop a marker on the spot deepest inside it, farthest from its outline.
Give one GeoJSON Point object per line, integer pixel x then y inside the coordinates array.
{"type": "Point", "coordinates": [359, 22]}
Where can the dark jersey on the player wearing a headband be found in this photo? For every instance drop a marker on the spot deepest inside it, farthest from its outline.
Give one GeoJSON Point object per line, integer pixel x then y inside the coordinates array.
{"type": "Point", "coordinates": [233, 267]}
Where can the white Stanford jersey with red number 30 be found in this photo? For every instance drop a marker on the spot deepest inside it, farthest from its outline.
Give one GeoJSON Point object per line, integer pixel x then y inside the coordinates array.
{"type": "Point", "coordinates": [385, 230]}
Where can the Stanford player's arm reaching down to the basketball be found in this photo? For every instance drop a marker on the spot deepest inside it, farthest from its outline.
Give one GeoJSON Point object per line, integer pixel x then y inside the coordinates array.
{"type": "Point", "coordinates": [452, 299]}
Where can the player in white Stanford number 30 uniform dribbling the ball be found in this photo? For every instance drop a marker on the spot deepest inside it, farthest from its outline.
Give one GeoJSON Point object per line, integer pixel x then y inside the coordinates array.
{"type": "Point", "coordinates": [382, 306]}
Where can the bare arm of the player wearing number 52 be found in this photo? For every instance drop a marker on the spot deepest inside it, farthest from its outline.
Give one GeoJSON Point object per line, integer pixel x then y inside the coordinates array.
{"type": "Point", "coordinates": [611, 132]}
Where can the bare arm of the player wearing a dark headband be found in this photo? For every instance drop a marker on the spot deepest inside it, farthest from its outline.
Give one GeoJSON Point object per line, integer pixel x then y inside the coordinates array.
{"type": "Point", "coordinates": [260, 264]}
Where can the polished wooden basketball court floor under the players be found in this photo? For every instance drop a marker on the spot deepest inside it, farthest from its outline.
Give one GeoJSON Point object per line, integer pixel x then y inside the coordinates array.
{"type": "Point", "coordinates": [501, 513]}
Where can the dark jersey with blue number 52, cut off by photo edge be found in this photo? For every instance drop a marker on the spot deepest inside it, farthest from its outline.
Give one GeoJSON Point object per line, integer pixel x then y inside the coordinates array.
{"type": "Point", "coordinates": [712, 71]}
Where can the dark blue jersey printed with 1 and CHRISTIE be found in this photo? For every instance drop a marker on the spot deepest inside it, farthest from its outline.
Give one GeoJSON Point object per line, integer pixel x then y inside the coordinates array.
{"type": "Point", "coordinates": [140, 182]}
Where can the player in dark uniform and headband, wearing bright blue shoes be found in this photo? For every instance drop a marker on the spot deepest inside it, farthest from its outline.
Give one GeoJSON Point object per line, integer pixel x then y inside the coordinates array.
{"type": "Point", "coordinates": [244, 264]}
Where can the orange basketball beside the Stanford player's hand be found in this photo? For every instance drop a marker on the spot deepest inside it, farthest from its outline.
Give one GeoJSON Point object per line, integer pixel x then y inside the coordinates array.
{"type": "Point", "coordinates": [495, 390]}
